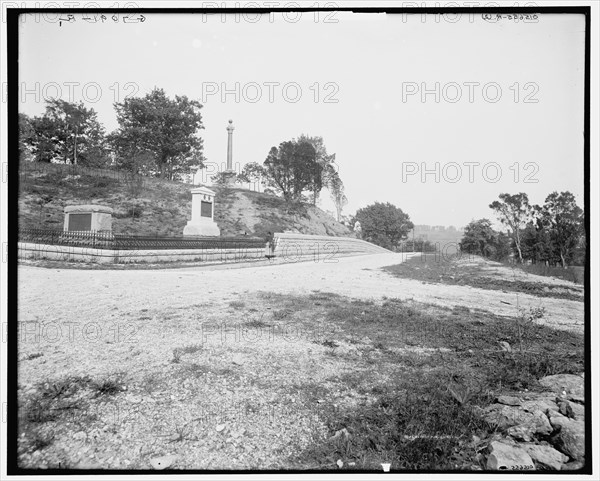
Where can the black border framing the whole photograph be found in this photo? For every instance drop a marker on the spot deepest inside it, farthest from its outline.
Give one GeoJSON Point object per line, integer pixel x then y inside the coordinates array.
{"type": "Point", "coordinates": [13, 188]}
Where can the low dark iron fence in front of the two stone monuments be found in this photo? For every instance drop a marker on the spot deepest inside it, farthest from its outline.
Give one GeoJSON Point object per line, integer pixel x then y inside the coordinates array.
{"type": "Point", "coordinates": [107, 240]}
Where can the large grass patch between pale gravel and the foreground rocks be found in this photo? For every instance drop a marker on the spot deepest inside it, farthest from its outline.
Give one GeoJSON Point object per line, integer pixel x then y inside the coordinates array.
{"type": "Point", "coordinates": [421, 374]}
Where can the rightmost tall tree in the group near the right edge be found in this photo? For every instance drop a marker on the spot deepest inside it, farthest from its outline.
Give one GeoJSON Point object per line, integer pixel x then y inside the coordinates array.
{"type": "Point", "coordinates": [564, 219]}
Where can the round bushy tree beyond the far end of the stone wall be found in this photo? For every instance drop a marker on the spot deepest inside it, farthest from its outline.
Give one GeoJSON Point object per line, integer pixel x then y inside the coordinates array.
{"type": "Point", "coordinates": [384, 224]}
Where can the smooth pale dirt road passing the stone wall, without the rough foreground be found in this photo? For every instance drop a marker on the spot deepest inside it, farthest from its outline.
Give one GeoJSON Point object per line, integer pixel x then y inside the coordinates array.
{"type": "Point", "coordinates": [70, 294]}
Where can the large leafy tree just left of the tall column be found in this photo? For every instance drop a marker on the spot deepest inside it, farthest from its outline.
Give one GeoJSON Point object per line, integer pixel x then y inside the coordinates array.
{"type": "Point", "coordinates": [164, 128]}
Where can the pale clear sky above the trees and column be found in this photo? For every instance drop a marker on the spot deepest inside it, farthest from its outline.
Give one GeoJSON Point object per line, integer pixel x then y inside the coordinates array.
{"type": "Point", "coordinates": [436, 115]}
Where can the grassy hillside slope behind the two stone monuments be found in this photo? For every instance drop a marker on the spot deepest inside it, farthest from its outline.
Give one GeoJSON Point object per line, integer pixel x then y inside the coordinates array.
{"type": "Point", "coordinates": [160, 207]}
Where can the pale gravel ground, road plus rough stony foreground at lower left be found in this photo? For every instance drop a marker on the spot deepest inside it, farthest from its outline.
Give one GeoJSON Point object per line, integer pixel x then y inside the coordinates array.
{"type": "Point", "coordinates": [225, 402]}
